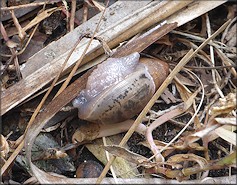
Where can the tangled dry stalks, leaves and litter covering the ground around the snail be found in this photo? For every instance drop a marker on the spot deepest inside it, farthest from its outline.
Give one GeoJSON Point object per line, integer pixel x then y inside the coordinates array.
{"type": "Point", "coordinates": [185, 133]}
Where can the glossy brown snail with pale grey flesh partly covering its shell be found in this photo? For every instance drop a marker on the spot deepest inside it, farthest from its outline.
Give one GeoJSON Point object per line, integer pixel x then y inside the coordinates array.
{"type": "Point", "coordinates": [119, 88]}
